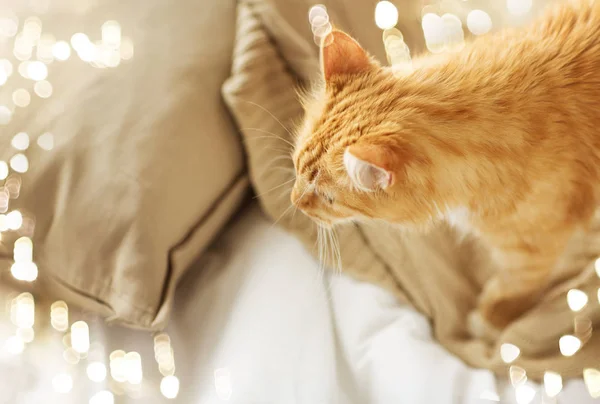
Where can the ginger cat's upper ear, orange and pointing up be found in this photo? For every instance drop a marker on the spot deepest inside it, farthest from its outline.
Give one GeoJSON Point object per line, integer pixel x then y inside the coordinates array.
{"type": "Point", "coordinates": [342, 55]}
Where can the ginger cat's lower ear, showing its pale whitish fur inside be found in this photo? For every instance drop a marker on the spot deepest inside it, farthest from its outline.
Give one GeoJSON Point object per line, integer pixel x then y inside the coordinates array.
{"type": "Point", "coordinates": [367, 168]}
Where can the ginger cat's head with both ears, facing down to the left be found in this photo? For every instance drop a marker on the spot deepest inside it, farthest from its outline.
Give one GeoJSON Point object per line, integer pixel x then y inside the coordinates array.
{"type": "Point", "coordinates": [348, 160]}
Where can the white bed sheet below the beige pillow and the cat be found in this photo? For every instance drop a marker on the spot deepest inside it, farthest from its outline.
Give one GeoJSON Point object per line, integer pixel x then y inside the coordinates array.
{"type": "Point", "coordinates": [256, 322]}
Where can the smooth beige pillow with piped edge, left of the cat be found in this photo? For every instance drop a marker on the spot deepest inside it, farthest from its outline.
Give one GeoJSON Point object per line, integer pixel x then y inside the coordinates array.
{"type": "Point", "coordinates": [147, 165]}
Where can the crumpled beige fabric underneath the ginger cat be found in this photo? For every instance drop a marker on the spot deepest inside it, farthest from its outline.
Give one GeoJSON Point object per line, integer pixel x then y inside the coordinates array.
{"type": "Point", "coordinates": [435, 272]}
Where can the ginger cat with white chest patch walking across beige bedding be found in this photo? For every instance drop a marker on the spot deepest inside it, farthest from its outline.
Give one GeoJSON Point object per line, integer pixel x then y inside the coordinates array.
{"type": "Point", "coordinates": [501, 139]}
